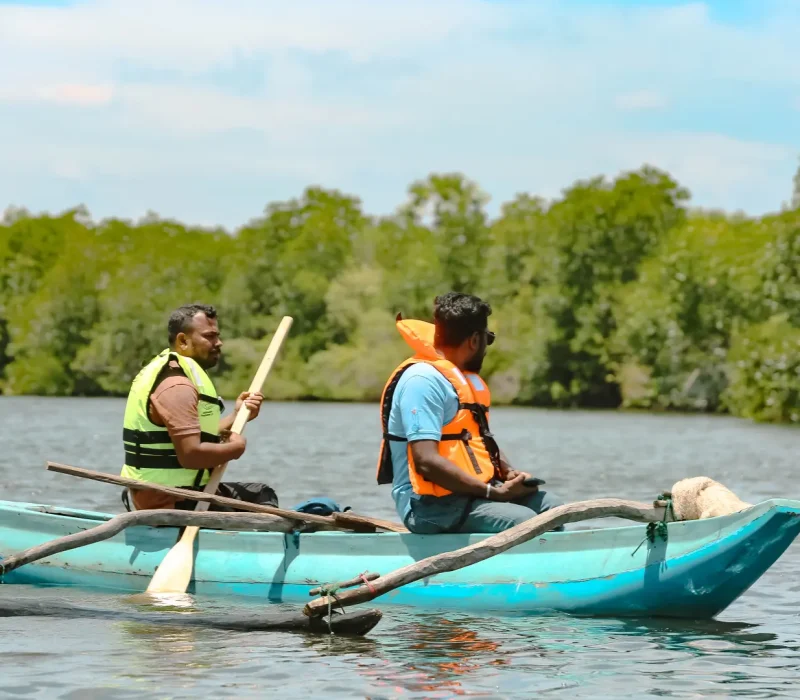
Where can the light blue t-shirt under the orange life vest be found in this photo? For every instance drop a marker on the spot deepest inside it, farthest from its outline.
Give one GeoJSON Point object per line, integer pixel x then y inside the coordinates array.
{"type": "Point", "coordinates": [423, 403]}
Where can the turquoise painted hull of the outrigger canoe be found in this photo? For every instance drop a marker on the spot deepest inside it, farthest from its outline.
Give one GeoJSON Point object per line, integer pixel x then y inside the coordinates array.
{"type": "Point", "coordinates": [699, 571]}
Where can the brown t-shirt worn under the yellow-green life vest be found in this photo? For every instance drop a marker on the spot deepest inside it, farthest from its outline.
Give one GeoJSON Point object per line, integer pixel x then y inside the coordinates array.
{"type": "Point", "coordinates": [173, 404]}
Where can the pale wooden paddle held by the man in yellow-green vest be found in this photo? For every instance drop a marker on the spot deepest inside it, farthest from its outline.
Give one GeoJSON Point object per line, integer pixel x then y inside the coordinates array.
{"type": "Point", "coordinates": [175, 572]}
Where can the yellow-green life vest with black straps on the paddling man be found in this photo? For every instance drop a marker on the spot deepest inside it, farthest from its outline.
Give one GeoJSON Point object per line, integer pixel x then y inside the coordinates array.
{"type": "Point", "coordinates": [149, 453]}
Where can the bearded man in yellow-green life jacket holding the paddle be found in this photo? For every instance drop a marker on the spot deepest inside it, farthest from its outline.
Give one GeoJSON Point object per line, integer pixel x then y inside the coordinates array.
{"type": "Point", "coordinates": [173, 432]}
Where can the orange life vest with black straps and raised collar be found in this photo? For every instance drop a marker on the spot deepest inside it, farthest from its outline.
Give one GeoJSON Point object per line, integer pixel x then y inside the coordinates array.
{"type": "Point", "coordinates": [466, 441]}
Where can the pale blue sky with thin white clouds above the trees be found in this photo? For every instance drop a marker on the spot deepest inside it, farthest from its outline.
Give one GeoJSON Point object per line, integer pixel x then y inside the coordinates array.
{"type": "Point", "coordinates": [206, 111]}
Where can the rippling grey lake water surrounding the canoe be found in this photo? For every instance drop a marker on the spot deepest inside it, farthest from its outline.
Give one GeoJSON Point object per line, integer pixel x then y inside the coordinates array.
{"type": "Point", "coordinates": [751, 650]}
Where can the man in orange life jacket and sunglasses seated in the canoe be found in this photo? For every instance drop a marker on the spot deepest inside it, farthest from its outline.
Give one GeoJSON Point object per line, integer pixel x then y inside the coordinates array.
{"type": "Point", "coordinates": [446, 470]}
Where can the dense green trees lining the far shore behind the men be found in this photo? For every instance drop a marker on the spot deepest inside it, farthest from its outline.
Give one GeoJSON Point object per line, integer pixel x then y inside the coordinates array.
{"type": "Point", "coordinates": [615, 294]}
